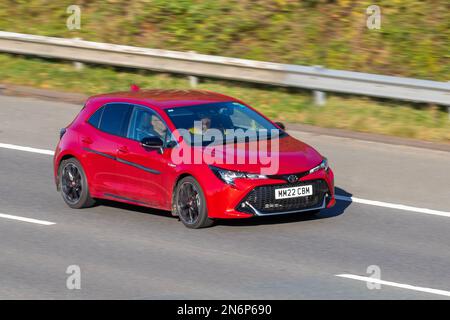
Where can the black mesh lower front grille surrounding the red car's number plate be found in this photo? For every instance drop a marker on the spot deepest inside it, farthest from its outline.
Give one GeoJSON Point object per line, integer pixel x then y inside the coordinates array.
{"type": "Point", "coordinates": [262, 198]}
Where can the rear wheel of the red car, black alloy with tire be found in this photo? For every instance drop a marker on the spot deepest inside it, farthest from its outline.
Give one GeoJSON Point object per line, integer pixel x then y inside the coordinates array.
{"type": "Point", "coordinates": [73, 184]}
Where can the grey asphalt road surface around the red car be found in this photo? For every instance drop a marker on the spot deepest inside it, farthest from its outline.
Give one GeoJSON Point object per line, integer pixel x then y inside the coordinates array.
{"type": "Point", "coordinates": [127, 252]}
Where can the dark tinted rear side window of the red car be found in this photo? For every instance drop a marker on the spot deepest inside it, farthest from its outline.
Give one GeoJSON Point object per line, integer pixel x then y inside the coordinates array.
{"type": "Point", "coordinates": [114, 119]}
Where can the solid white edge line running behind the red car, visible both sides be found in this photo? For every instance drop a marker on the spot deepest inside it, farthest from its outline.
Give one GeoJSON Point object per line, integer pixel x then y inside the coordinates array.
{"type": "Point", "coordinates": [338, 197]}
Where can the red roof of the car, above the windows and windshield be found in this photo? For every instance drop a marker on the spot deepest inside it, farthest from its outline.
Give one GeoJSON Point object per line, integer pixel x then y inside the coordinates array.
{"type": "Point", "coordinates": [165, 98]}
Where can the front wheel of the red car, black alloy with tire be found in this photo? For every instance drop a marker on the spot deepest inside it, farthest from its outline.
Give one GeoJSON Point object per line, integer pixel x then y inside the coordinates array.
{"type": "Point", "coordinates": [190, 204]}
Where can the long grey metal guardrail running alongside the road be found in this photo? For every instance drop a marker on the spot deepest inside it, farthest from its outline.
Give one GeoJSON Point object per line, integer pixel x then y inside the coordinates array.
{"type": "Point", "coordinates": [194, 64]}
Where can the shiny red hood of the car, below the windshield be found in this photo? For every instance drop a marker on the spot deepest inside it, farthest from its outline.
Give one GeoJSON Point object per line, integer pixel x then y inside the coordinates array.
{"type": "Point", "coordinates": [290, 156]}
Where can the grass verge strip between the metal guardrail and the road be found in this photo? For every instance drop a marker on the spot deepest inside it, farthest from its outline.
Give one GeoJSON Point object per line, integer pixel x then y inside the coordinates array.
{"type": "Point", "coordinates": [354, 113]}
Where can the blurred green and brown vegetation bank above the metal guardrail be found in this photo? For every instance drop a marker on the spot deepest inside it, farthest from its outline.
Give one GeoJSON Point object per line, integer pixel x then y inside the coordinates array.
{"type": "Point", "coordinates": [414, 39]}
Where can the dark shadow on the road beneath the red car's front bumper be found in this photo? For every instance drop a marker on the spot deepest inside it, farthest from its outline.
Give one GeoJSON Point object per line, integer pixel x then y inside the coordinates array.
{"type": "Point", "coordinates": [338, 209]}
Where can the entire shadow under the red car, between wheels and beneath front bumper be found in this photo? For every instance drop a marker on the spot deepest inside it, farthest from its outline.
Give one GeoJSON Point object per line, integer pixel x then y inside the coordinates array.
{"type": "Point", "coordinates": [338, 209]}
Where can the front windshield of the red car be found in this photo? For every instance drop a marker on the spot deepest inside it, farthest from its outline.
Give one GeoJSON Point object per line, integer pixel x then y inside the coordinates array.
{"type": "Point", "coordinates": [224, 122]}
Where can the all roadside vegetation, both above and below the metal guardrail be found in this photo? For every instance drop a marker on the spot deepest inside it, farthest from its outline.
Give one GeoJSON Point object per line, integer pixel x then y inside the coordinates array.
{"type": "Point", "coordinates": [414, 41]}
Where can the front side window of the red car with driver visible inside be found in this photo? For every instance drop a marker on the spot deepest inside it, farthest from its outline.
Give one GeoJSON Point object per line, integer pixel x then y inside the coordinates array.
{"type": "Point", "coordinates": [146, 123]}
